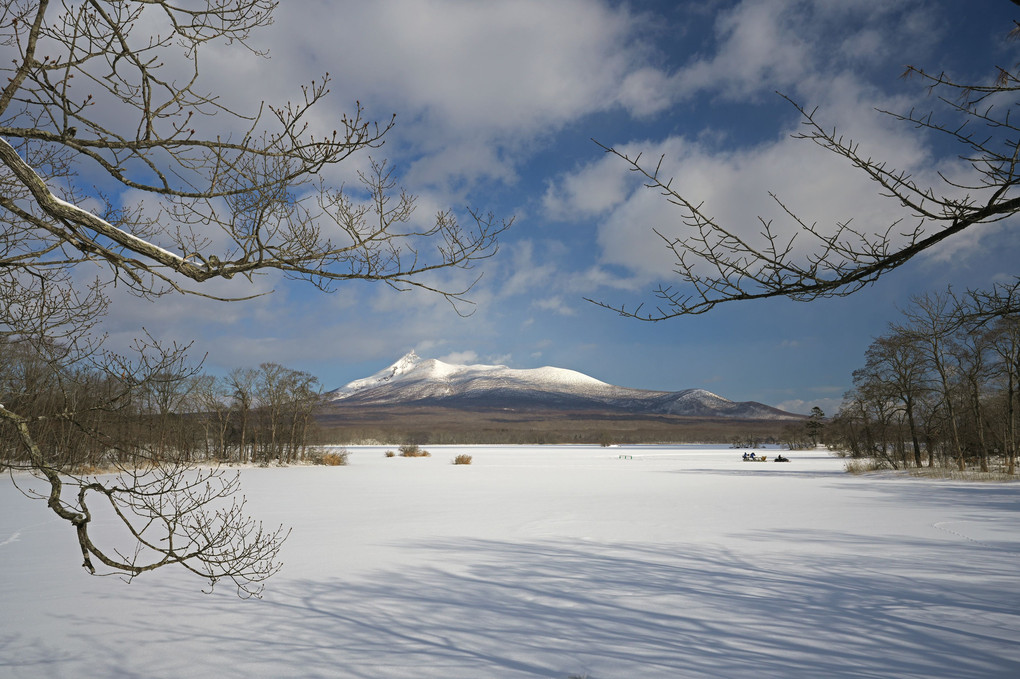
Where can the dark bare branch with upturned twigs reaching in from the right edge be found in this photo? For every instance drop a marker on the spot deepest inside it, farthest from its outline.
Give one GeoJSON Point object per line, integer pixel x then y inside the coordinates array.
{"type": "Point", "coordinates": [803, 260]}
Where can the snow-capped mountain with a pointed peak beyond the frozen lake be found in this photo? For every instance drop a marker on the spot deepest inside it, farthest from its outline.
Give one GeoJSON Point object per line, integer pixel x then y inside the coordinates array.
{"type": "Point", "coordinates": [429, 382]}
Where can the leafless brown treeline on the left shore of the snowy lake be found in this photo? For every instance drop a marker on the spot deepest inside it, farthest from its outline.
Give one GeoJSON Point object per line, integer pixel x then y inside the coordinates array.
{"type": "Point", "coordinates": [94, 417]}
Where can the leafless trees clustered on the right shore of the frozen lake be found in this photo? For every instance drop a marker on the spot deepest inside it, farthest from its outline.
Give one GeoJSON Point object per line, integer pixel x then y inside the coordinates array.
{"type": "Point", "coordinates": [940, 389]}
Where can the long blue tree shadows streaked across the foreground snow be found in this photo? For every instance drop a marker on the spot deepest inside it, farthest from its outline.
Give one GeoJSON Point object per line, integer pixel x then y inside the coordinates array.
{"type": "Point", "coordinates": [615, 611]}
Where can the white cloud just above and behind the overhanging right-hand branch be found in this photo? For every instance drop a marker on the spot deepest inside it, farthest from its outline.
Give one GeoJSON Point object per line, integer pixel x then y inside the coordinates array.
{"type": "Point", "coordinates": [734, 189]}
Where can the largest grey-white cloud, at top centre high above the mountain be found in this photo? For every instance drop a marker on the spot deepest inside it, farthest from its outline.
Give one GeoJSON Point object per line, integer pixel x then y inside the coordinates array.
{"type": "Point", "coordinates": [474, 85]}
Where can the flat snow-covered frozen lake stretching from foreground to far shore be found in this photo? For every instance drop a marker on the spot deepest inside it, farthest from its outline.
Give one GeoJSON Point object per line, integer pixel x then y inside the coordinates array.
{"type": "Point", "coordinates": [552, 562]}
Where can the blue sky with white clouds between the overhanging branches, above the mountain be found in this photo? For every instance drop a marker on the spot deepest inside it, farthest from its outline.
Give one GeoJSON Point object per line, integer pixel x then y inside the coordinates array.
{"type": "Point", "coordinates": [497, 105]}
